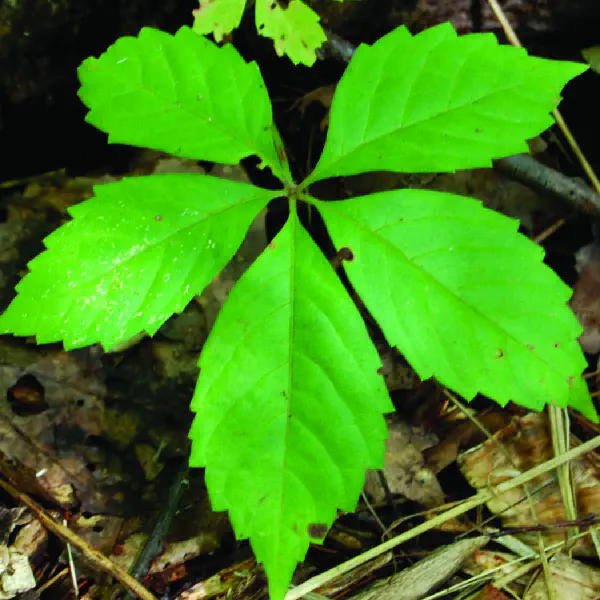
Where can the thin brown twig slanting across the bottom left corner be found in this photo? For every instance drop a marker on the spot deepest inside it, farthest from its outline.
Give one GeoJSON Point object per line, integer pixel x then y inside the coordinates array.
{"type": "Point", "coordinates": [93, 556]}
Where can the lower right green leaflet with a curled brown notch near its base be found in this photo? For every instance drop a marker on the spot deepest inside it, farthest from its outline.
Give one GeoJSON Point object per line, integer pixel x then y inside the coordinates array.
{"type": "Point", "coordinates": [463, 296]}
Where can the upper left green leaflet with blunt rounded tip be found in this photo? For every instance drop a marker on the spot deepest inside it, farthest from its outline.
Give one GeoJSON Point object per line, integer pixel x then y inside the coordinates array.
{"type": "Point", "coordinates": [183, 95]}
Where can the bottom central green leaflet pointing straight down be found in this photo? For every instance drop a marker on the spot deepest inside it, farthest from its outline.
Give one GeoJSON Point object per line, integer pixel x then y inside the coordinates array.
{"type": "Point", "coordinates": [288, 404]}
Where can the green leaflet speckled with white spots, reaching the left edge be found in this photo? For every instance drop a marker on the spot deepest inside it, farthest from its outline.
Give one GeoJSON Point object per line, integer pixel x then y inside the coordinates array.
{"type": "Point", "coordinates": [131, 257]}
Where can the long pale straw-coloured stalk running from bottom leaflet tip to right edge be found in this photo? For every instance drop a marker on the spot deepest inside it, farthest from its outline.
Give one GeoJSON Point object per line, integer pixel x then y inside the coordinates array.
{"type": "Point", "coordinates": [477, 500]}
